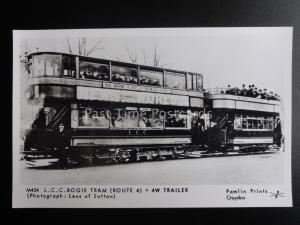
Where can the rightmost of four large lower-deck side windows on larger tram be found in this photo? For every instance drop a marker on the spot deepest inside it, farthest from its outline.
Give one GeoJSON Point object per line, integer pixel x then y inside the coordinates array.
{"type": "Point", "coordinates": [176, 119]}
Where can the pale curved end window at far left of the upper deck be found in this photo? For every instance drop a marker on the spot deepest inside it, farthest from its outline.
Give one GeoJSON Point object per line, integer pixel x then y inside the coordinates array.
{"type": "Point", "coordinates": [48, 65]}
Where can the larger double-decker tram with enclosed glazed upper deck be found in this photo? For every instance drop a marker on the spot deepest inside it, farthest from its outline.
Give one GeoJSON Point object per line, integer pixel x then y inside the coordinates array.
{"type": "Point", "coordinates": [110, 109]}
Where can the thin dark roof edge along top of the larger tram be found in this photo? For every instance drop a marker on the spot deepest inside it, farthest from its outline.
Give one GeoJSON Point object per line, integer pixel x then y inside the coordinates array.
{"type": "Point", "coordinates": [114, 61]}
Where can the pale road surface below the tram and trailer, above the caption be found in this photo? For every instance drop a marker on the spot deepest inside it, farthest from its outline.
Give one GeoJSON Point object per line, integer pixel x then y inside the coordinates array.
{"type": "Point", "coordinates": [244, 169]}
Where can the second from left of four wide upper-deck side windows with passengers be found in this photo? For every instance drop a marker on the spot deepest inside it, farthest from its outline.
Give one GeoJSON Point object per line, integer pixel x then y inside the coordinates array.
{"type": "Point", "coordinates": [132, 70]}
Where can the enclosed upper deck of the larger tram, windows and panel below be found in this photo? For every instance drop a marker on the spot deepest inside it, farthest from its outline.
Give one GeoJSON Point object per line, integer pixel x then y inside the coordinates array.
{"type": "Point", "coordinates": [67, 76]}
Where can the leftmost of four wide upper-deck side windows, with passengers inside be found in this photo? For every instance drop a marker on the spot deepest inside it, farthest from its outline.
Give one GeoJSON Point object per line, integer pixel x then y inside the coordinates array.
{"type": "Point", "coordinates": [89, 71]}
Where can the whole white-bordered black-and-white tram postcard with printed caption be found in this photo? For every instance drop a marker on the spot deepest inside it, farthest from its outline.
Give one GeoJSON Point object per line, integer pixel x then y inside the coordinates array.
{"type": "Point", "coordinates": [160, 117]}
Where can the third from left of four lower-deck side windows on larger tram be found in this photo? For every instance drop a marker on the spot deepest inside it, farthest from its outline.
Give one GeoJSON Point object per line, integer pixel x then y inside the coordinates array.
{"type": "Point", "coordinates": [150, 118]}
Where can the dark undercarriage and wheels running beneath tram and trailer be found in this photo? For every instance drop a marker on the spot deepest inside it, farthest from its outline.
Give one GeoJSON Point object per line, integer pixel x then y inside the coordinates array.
{"type": "Point", "coordinates": [95, 155]}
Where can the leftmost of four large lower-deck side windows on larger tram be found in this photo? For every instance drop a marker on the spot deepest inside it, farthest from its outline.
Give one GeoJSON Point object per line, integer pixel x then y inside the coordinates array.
{"type": "Point", "coordinates": [89, 117]}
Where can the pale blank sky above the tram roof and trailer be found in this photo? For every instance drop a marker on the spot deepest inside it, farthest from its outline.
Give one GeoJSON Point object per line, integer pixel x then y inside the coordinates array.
{"type": "Point", "coordinates": [224, 56]}
